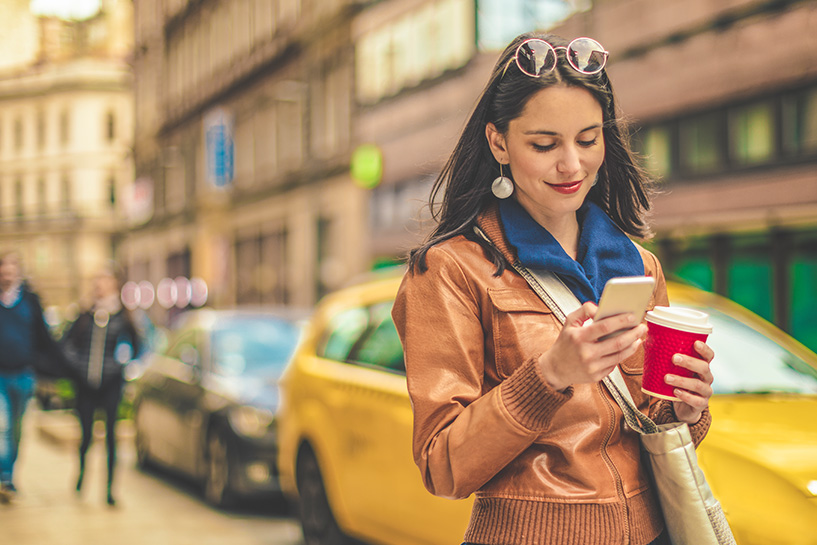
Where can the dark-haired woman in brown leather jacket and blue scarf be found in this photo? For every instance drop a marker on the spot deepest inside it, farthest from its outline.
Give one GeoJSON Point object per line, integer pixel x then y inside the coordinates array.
{"type": "Point", "coordinates": [508, 403]}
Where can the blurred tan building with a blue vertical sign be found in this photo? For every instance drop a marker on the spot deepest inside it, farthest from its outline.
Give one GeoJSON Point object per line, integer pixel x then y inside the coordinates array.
{"type": "Point", "coordinates": [243, 135]}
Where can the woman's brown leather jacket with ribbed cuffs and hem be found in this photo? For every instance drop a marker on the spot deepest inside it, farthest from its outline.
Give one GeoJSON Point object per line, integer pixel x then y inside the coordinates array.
{"type": "Point", "coordinates": [546, 466]}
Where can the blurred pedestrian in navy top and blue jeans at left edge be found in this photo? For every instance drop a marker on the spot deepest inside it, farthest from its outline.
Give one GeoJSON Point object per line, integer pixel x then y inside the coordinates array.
{"type": "Point", "coordinates": [26, 347]}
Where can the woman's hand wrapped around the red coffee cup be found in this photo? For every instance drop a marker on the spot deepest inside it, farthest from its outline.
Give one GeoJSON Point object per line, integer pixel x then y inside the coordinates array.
{"type": "Point", "coordinates": [695, 392]}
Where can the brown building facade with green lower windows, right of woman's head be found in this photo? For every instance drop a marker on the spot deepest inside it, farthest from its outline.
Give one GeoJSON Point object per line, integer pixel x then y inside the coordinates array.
{"type": "Point", "coordinates": [723, 100]}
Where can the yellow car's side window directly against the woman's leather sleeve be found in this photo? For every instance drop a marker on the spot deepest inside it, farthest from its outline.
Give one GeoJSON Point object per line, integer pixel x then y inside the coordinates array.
{"type": "Point", "coordinates": [380, 345]}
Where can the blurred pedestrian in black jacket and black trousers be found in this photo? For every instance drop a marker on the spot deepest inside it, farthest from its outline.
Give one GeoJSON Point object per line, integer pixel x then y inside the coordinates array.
{"type": "Point", "coordinates": [101, 341]}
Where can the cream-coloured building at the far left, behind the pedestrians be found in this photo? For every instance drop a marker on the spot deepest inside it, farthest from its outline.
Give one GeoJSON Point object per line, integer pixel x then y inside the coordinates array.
{"type": "Point", "coordinates": [66, 121]}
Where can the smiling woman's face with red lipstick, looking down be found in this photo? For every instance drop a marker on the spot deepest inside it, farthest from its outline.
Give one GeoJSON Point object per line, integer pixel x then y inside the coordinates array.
{"type": "Point", "coordinates": [554, 150]}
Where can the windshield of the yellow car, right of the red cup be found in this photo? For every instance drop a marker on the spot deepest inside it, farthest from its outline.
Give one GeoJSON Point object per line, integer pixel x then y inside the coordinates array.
{"type": "Point", "coordinates": [747, 361]}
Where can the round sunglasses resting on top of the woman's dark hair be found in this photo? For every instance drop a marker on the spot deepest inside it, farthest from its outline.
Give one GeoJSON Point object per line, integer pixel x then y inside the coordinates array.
{"type": "Point", "coordinates": [536, 57]}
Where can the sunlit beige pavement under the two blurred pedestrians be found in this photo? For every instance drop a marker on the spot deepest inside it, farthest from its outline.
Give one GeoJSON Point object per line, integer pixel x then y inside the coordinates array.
{"type": "Point", "coordinates": [155, 508]}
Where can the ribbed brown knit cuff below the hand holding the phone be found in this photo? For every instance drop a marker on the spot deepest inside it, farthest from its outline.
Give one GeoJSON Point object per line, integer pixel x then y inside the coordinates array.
{"type": "Point", "coordinates": [529, 398]}
